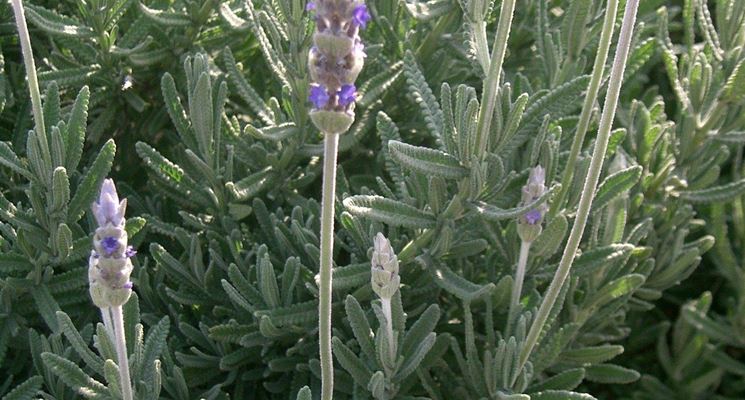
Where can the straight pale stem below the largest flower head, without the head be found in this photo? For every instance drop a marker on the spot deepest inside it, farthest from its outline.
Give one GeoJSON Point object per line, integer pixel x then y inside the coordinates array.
{"type": "Point", "coordinates": [331, 144]}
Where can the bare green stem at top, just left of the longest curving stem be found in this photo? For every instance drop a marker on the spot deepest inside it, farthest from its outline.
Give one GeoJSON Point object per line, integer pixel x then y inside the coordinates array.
{"type": "Point", "coordinates": [592, 95]}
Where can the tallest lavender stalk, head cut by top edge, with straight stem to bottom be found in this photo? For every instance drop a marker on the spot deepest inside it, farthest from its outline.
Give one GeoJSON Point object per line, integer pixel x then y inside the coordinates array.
{"type": "Point", "coordinates": [334, 62]}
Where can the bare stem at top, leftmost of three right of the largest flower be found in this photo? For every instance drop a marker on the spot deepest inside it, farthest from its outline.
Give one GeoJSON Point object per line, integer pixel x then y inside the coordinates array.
{"type": "Point", "coordinates": [491, 84]}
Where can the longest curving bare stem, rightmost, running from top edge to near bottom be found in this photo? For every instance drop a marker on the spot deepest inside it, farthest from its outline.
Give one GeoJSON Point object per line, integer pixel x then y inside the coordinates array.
{"type": "Point", "coordinates": [591, 182]}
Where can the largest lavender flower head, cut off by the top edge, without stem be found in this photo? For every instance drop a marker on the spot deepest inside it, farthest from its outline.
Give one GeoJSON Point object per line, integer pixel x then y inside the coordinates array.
{"type": "Point", "coordinates": [335, 61]}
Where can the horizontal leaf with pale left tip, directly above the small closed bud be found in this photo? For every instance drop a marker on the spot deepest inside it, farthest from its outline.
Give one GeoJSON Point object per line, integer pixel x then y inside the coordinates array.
{"type": "Point", "coordinates": [389, 211]}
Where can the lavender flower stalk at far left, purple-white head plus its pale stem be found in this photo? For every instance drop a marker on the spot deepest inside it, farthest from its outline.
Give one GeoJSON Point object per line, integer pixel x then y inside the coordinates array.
{"type": "Point", "coordinates": [109, 268]}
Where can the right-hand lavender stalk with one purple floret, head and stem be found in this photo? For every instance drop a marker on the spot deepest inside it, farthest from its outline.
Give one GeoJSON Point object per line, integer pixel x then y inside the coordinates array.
{"type": "Point", "coordinates": [528, 228]}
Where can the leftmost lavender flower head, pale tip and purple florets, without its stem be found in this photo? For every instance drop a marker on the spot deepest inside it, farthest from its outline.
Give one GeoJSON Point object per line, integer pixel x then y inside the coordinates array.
{"type": "Point", "coordinates": [109, 265]}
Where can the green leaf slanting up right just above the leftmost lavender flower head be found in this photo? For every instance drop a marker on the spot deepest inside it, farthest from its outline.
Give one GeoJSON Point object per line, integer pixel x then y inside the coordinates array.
{"type": "Point", "coordinates": [90, 185]}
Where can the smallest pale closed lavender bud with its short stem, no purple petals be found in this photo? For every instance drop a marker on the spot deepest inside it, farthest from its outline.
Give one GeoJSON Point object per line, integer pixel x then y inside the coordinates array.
{"type": "Point", "coordinates": [385, 282]}
